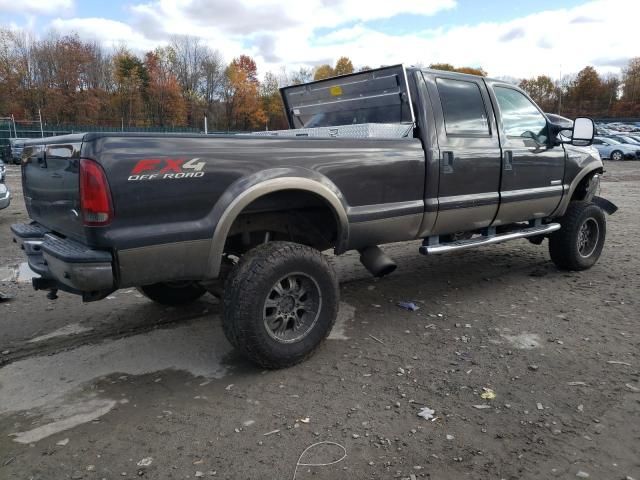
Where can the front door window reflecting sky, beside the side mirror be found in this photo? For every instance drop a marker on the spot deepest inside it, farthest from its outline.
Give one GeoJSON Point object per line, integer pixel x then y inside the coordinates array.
{"type": "Point", "coordinates": [520, 117]}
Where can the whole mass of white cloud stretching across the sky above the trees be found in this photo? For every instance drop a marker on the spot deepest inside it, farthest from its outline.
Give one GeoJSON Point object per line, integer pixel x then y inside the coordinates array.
{"type": "Point", "coordinates": [285, 32]}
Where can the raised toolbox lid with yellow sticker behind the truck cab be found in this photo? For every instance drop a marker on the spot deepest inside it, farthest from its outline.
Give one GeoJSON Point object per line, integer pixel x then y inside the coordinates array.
{"type": "Point", "coordinates": [373, 96]}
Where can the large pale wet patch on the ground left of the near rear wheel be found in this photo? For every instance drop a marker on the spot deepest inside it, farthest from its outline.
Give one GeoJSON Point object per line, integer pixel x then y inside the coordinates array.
{"type": "Point", "coordinates": [52, 386]}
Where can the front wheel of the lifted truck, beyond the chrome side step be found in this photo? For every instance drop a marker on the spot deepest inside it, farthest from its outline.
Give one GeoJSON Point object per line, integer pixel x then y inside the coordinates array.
{"type": "Point", "coordinates": [580, 240]}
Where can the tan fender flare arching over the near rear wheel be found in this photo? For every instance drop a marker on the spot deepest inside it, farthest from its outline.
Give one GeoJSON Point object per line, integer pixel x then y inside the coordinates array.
{"type": "Point", "coordinates": [244, 191]}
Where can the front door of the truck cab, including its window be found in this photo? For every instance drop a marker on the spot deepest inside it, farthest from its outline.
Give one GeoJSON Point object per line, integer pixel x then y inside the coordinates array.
{"type": "Point", "coordinates": [533, 167]}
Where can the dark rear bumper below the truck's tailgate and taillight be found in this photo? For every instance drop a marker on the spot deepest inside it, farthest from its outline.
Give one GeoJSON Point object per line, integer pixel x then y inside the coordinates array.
{"type": "Point", "coordinates": [64, 263]}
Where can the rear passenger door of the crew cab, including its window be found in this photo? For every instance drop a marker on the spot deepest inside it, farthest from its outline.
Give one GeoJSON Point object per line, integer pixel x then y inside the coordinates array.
{"type": "Point", "coordinates": [469, 151]}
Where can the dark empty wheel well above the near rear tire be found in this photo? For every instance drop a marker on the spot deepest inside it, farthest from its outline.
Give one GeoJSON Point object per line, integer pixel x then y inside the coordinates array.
{"type": "Point", "coordinates": [292, 215]}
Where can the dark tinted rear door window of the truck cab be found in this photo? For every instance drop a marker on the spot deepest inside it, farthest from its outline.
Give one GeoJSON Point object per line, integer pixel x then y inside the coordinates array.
{"type": "Point", "coordinates": [463, 107]}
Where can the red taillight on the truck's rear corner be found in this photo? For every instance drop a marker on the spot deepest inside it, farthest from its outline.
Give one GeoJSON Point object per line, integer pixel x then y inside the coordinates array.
{"type": "Point", "coordinates": [95, 198]}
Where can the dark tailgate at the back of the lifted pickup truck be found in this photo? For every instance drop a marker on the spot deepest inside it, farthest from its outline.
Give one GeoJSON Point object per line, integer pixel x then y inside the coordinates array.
{"type": "Point", "coordinates": [51, 185]}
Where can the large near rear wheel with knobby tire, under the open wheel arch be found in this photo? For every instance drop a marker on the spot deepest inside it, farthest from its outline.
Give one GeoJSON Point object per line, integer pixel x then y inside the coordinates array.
{"type": "Point", "coordinates": [280, 303]}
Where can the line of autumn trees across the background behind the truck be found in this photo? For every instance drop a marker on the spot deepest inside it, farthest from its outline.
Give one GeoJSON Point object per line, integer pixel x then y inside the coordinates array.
{"type": "Point", "coordinates": [71, 80]}
